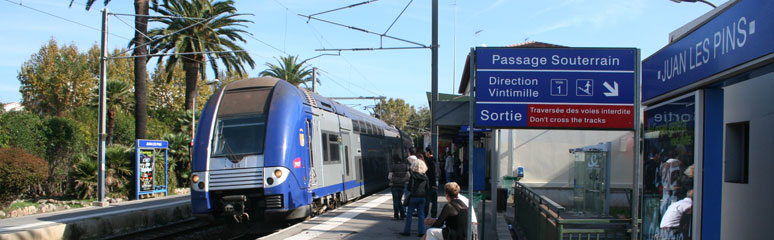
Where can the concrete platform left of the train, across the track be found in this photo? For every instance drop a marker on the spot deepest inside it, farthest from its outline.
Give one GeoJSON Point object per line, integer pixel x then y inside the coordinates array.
{"type": "Point", "coordinates": [96, 222]}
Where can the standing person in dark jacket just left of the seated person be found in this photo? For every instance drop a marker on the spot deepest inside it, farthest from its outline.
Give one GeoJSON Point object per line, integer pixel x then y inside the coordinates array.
{"type": "Point", "coordinates": [418, 187]}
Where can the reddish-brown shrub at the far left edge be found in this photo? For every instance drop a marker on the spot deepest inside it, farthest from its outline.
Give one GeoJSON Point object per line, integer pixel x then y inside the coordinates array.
{"type": "Point", "coordinates": [18, 171]}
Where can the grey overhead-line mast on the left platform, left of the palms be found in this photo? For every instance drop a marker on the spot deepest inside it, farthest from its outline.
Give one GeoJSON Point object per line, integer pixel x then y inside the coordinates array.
{"type": "Point", "coordinates": [102, 106]}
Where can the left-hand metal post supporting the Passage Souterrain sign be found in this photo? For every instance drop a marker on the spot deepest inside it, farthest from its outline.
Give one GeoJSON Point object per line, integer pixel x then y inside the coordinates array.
{"type": "Point", "coordinates": [471, 121]}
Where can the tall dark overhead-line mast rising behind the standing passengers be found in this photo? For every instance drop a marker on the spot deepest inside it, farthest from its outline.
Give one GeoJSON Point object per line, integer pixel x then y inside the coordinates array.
{"type": "Point", "coordinates": [434, 78]}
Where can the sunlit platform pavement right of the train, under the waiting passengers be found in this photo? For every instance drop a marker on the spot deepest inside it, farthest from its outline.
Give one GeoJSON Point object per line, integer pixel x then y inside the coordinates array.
{"type": "Point", "coordinates": [368, 218]}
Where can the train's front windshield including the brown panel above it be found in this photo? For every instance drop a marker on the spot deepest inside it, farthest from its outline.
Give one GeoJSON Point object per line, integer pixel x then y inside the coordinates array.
{"type": "Point", "coordinates": [241, 123]}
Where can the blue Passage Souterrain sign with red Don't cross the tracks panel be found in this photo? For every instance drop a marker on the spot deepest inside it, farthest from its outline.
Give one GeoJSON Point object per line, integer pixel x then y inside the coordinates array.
{"type": "Point", "coordinates": [570, 88]}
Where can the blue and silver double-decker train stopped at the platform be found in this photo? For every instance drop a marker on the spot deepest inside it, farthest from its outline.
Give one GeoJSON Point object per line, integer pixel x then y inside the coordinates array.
{"type": "Point", "coordinates": [266, 149]}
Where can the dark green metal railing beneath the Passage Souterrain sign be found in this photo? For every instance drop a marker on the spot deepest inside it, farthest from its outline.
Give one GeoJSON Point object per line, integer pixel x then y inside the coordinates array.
{"type": "Point", "coordinates": [541, 218]}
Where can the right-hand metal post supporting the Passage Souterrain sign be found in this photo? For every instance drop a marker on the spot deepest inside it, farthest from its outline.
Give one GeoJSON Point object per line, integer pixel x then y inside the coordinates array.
{"type": "Point", "coordinates": [637, 156]}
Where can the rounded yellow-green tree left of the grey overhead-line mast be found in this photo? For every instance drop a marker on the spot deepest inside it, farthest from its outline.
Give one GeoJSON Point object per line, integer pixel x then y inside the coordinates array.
{"type": "Point", "coordinates": [55, 80]}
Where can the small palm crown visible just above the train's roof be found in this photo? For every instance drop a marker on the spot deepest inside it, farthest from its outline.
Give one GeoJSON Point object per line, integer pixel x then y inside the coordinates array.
{"type": "Point", "coordinates": [289, 70]}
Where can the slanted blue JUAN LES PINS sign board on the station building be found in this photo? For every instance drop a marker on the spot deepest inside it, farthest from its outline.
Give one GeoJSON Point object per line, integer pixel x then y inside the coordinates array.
{"type": "Point", "coordinates": [745, 31]}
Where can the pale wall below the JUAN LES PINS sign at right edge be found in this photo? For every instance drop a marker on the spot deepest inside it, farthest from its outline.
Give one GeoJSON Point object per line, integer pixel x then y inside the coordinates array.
{"type": "Point", "coordinates": [747, 208]}
